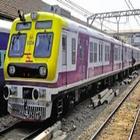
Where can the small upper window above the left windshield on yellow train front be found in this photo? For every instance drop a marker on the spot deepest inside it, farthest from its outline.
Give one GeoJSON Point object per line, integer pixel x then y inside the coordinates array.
{"type": "Point", "coordinates": [23, 26]}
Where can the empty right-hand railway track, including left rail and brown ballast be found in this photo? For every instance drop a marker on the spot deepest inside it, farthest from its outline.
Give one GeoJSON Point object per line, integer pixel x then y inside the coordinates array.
{"type": "Point", "coordinates": [116, 125]}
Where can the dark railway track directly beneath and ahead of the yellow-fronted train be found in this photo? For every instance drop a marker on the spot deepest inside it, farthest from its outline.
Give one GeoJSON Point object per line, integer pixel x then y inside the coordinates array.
{"type": "Point", "coordinates": [21, 131]}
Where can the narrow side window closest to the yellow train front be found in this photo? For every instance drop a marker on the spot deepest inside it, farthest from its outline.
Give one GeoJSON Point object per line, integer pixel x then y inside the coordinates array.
{"type": "Point", "coordinates": [64, 50]}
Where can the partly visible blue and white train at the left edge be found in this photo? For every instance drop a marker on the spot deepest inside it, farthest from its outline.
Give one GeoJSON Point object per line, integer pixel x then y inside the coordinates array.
{"type": "Point", "coordinates": [4, 35]}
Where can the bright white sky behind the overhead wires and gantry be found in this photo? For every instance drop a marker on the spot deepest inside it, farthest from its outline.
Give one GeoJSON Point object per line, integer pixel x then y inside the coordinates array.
{"type": "Point", "coordinates": [98, 6]}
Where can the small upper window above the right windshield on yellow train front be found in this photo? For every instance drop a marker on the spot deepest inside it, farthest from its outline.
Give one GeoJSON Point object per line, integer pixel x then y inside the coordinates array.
{"type": "Point", "coordinates": [43, 24]}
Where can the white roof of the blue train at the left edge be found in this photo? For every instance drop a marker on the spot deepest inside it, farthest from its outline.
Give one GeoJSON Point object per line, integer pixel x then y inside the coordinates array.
{"type": "Point", "coordinates": [5, 26]}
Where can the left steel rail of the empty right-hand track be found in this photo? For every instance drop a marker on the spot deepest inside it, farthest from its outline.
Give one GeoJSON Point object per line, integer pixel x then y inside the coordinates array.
{"type": "Point", "coordinates": [104, 124]}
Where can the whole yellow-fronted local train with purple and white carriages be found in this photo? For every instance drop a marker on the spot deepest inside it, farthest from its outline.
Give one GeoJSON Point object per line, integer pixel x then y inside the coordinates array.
{"type": "Point", "coordinates": [51, 61]}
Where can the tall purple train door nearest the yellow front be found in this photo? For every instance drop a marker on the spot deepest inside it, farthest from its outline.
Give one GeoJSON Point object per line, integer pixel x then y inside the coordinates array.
{"type": "Point", "coordinates": [83, 55]}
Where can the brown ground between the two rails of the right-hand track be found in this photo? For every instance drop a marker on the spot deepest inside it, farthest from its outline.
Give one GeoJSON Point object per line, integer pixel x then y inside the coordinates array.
{"type": "Point", "coordinates": [119, 127]}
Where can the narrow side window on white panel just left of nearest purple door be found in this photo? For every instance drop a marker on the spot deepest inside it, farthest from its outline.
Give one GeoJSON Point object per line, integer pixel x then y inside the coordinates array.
{"type": "Point", "coordinates": [73, 50]}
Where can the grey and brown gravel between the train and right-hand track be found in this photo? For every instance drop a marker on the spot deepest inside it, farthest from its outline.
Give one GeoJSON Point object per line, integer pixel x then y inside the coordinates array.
{"type": "Point", "coordinates": [83, 121]}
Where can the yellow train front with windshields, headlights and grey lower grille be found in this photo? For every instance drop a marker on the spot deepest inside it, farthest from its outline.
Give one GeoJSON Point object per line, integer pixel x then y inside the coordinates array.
{"type": "Point", "coordinates": [31, 65]}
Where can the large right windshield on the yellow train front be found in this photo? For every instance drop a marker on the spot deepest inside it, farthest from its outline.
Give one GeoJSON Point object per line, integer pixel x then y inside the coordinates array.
{"type": "Point", "coordinates": [43, 45]}
